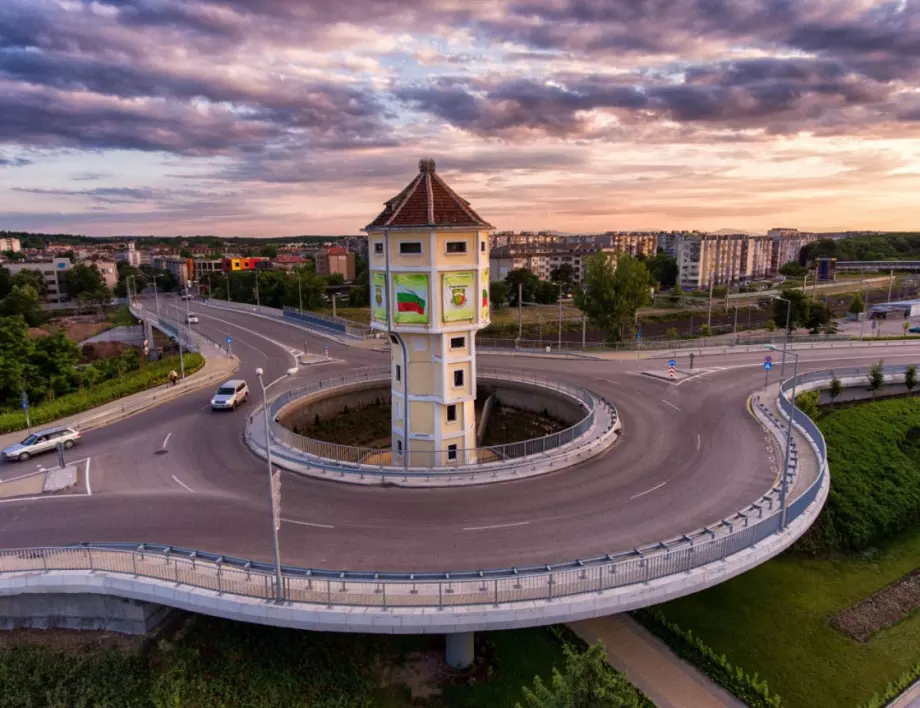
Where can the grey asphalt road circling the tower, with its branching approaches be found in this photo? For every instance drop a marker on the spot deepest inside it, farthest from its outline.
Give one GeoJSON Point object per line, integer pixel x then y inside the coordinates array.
{"type": "Point", "coordinates": [690, 455]}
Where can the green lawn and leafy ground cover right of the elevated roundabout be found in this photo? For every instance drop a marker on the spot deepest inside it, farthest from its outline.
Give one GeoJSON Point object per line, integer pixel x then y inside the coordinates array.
{"type": "Point", "coordinates": [774, 619]}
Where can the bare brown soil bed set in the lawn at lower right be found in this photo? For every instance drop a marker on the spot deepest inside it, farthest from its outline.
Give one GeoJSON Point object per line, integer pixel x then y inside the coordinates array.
{"type": "Point", "coordinates": [881, 610]}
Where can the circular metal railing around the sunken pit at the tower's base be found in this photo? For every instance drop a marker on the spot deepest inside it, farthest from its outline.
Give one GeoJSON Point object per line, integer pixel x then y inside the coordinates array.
{"type": "Point", "coordinates": [434, 461]}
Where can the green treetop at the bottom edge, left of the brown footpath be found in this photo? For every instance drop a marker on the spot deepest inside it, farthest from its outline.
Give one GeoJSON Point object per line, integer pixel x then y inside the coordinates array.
{"type": "Point", "coordinates": [585, 682]}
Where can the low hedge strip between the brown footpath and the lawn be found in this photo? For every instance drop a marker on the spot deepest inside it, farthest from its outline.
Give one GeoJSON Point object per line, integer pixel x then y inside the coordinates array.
{"type": "Point", "coordinates": [748, 688]}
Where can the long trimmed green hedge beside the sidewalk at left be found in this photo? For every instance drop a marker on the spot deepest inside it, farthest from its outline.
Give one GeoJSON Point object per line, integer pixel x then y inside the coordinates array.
{"type": "Point", "coordinates": [153, 374]}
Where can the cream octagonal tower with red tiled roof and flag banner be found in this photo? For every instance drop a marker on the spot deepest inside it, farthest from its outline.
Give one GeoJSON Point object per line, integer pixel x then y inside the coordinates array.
{"type": "Point", "coordinates": [429, 278]}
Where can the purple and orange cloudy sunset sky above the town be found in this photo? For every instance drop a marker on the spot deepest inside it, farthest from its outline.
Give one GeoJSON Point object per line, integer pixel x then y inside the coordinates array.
{"type": "Point", "coordinates": [278, 117]}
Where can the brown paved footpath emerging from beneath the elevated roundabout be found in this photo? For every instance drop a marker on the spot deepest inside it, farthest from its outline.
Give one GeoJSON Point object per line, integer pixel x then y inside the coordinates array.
{"type": "Point", "coordinates": [670, 682]}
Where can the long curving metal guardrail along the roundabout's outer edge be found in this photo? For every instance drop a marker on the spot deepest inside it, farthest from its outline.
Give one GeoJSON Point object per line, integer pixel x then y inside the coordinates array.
{"type": "Point", "coordinates": [225, 574]}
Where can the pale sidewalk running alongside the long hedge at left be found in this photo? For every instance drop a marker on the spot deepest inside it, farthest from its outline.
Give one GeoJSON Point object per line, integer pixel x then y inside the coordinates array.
{"type": "Point", "coordinates": [217, 367]}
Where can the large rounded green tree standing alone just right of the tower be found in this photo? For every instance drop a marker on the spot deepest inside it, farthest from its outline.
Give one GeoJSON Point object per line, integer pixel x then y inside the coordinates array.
{"type": "Point", "coordinates": [611, 294]}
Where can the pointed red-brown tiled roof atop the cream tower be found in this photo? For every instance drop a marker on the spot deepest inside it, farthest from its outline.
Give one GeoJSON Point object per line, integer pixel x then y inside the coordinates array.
{"type": "Point", "coordinates": [427, 201]}
